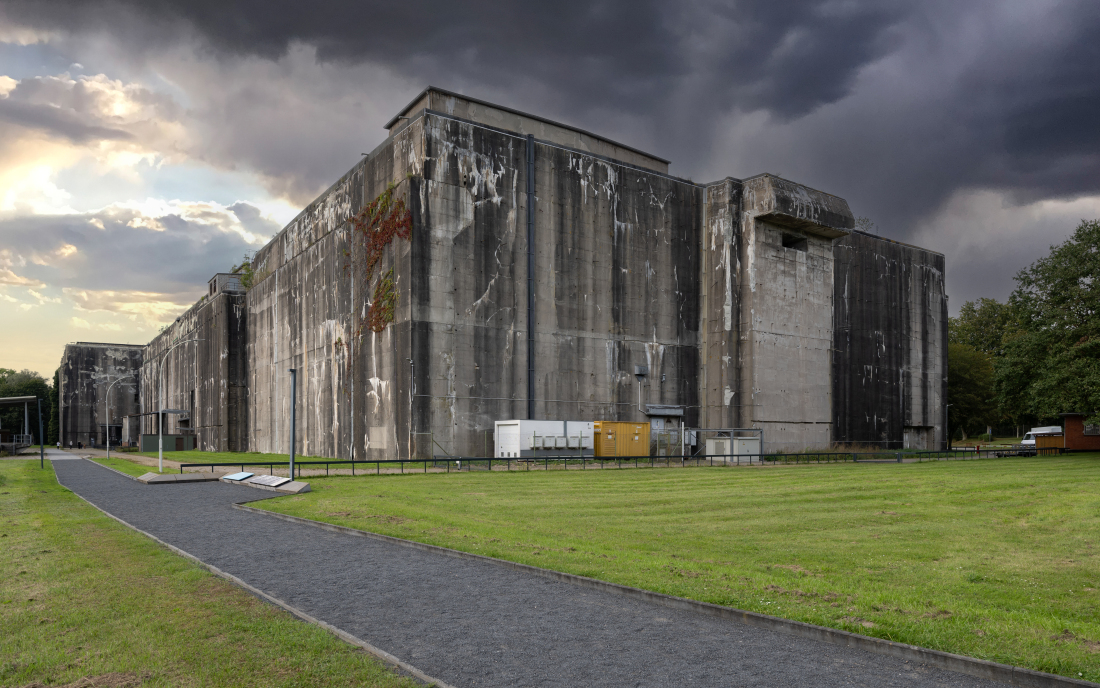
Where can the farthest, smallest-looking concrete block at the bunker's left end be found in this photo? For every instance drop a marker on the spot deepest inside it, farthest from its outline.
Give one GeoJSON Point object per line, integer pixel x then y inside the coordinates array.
{"type": "Point", "coordinates": [86, 373]}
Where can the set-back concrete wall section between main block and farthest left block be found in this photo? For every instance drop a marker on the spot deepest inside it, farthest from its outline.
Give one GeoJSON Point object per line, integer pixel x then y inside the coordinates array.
{"type": "Point", "coordinates": [204, 378]}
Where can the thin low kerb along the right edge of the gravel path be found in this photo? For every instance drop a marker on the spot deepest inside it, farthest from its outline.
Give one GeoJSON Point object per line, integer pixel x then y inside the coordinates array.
{"type": "Point", "coordinates": [960, 664]}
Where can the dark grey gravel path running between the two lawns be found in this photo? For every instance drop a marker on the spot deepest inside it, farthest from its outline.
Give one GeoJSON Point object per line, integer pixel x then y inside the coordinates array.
{"type": "Point", "coordinates": [476, 624]}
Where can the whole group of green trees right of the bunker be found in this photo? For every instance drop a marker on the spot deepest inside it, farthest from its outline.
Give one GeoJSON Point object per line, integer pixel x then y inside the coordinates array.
{"type": "Point", "coordinates": [1037, 356]}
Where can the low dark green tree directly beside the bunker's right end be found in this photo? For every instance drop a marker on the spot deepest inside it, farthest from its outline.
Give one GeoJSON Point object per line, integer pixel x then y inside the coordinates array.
{"type": "Point", "coordinates": [970, 389]}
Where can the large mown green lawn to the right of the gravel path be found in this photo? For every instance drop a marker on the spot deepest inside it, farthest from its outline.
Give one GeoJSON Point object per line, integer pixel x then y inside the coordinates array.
{"type": "Point", "coordinates": [998, 560]}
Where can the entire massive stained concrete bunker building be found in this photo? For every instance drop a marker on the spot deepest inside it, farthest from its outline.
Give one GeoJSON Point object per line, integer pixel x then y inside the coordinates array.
{"type": "Point", "coordinates": [485, 265]}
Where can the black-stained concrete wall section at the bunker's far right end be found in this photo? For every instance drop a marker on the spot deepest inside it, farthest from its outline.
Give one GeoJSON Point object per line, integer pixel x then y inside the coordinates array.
{"type": "Point", "coordinates": [890, 322]}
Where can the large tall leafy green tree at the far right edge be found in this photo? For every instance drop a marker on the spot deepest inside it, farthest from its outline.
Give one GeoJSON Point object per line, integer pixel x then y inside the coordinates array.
{"type": "Point", "coordinates": [1052, 353]}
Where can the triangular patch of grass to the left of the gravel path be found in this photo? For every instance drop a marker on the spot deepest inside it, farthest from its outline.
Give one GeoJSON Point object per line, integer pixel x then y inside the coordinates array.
{"type": "Point", "coordinates": [82, 596]}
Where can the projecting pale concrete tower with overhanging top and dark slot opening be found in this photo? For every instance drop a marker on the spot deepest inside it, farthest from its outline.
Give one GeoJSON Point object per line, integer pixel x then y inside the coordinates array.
{"type": "Point", "coordinates": [767, 309]}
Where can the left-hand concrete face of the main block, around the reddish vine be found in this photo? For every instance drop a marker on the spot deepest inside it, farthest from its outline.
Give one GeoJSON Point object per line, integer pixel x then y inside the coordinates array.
{"type": "Point", "coordinates": [306, 313]}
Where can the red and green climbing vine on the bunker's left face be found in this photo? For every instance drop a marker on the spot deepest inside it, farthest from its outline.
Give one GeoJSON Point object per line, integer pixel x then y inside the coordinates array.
{"type": "Point", "coordinates": [375, 228]}
